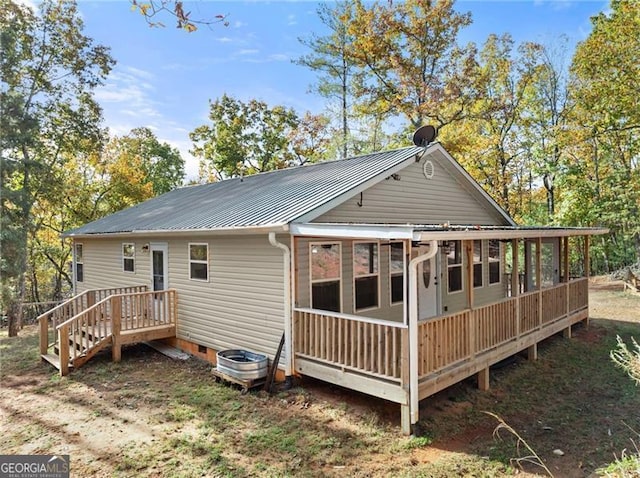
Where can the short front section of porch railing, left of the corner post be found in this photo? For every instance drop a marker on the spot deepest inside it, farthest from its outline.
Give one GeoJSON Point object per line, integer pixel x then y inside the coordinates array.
{"type": "Point", "coordinates": [369, 346]}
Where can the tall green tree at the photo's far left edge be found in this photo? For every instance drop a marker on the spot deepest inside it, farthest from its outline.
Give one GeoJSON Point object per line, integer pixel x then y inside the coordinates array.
{"type": "Point", "coordinates": [49, 69]}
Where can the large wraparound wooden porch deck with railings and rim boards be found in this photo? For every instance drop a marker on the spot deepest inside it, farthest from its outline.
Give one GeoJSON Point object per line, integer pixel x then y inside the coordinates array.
{"type": "Point", "coordinates": [372, 356]}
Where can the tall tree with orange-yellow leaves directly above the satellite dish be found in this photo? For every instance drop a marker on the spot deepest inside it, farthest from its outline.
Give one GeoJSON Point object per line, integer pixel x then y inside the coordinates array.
{"type": "Point", "coordinates": [411, 63]}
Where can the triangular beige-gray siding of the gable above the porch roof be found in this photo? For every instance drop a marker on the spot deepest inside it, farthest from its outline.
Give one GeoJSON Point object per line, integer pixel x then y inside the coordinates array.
{"type": "Point", "coordinates": [413, 199]}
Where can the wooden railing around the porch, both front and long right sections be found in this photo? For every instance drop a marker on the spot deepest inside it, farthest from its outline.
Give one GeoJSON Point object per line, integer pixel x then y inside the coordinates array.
{"type": "Point", "coordinates": [373, 347]}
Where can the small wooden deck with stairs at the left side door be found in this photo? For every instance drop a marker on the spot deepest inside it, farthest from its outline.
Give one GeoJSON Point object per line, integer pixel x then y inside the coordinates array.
{"type": "Point", "coordinates": [73, 332]}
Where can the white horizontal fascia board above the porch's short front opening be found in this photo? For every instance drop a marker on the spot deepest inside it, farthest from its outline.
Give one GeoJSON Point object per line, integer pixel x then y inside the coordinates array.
{"type": "Point", "coordinates": [353, 231]}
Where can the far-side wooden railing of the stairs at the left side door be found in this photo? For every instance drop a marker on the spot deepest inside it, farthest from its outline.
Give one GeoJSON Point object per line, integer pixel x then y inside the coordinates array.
{"type": "Point", "coordinates": [50, 320]}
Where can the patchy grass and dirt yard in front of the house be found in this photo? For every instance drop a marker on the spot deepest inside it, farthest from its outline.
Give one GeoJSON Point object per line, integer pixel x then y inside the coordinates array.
{"type": "Point", "coordinates": [135, 417]}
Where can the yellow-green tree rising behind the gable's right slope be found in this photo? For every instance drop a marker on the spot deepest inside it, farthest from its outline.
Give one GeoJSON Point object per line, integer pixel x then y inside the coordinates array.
{"type": "Point", "coordinates": [489, 141]}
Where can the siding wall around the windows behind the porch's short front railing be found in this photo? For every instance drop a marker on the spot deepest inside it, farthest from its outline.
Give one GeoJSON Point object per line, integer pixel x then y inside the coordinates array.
{"type": "Point", "coordinates": [385, 311]}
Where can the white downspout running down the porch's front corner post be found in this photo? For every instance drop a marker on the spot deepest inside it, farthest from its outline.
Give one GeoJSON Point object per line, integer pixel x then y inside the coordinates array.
{"type": "Point", "coordinates": [414, 410]}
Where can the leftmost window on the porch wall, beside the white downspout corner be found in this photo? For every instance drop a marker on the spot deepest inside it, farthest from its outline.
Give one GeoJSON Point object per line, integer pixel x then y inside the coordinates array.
{"type": "Point", "coordinates": [326, 271]}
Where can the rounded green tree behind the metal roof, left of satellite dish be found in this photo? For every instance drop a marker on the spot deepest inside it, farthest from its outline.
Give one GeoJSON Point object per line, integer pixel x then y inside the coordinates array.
{"type": "Point", "coordinates": [249, 138]}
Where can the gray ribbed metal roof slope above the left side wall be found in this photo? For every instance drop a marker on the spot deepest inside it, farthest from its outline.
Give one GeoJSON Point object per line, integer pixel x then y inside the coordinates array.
{"type": "Point", "coordinates": [275, 198]}
